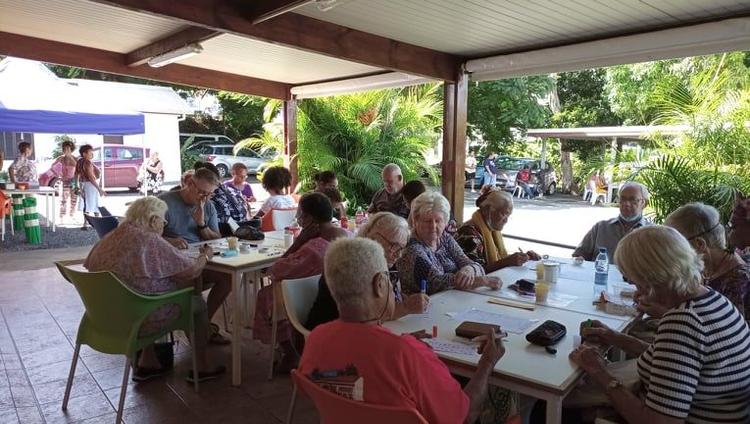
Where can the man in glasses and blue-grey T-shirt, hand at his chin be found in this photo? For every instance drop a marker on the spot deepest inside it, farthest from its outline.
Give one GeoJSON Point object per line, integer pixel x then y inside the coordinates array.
{"type": "Point", "coordinates": [191, 216]}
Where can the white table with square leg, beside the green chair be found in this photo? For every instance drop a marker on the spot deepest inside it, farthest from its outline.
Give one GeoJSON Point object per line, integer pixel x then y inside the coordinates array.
{"type": "Point", "coordinates": [236, 267]}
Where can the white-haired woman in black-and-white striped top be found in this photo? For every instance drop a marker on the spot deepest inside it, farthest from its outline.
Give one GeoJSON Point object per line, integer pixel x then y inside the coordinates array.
{"type": "Point", "coordinates": [698, 366]}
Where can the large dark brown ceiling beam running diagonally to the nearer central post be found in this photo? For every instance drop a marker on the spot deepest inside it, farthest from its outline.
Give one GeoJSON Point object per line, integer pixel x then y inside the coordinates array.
{"type": "Point", "coordinates": [304, 33]}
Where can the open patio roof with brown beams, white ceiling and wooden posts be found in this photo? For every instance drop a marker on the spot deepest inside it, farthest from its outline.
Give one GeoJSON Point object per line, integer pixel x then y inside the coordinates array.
{"type": "Point", "coordinates": [292, 49]}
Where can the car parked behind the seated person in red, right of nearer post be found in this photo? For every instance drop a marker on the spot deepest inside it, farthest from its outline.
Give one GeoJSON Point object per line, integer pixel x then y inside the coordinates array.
{"type": "Point", "coordinates": [507, 170]}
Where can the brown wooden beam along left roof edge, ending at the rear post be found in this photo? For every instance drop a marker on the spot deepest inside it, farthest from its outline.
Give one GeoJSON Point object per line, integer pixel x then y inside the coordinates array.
{"type": "Point", "coordinates": [113, 62]}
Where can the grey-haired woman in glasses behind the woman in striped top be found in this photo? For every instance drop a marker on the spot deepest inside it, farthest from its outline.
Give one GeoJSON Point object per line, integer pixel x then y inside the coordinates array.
{"type": "Point", "coordinates": [724, 270]}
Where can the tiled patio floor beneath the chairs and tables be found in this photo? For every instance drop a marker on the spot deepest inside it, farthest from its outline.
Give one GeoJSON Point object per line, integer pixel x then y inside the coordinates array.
{"type": "Point", "coordinates": [39, 315]}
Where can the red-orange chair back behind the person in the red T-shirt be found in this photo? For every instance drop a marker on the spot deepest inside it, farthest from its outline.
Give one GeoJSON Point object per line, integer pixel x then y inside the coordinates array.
{"type": "Point", "coordinates": [335, 409]}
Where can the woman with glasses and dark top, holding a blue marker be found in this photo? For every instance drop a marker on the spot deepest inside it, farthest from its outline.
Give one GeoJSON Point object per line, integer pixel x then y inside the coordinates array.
{"type": "Point", "coordinates": [392, 233]}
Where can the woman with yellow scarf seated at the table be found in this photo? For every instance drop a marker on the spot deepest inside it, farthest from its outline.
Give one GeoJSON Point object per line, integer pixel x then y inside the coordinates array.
{"type": "Point", "coordinates": [481, 239]}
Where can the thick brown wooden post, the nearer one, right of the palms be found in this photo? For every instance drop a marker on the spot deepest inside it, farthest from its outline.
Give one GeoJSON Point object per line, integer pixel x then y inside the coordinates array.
{"type": "Point", "coordinates": [455, 105]}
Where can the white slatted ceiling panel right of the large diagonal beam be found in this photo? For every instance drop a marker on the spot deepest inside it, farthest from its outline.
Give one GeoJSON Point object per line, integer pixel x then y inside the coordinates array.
{"type": "Point", "coordinates": [482, 27]}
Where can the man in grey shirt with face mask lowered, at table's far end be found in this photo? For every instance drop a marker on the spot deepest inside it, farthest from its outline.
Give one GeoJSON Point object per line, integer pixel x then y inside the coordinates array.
{"type": "Point", "coordinates": [607, 233]}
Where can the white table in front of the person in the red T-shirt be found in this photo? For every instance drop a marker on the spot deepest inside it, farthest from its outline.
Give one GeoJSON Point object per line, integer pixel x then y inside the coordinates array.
{"type": "Point", "coordinates": [525, 368]}
